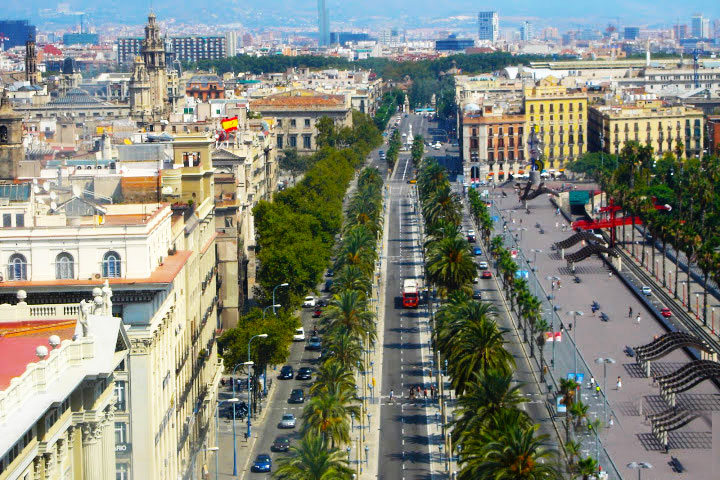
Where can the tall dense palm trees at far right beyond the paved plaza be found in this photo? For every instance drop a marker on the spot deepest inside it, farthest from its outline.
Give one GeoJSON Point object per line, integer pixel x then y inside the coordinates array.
{"type": "Point", "coordinates": [692, 188]}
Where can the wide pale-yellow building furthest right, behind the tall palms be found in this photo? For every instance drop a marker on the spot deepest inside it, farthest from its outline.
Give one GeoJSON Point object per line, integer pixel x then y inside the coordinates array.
{"type": "Point", "coordinates": [649, 122]}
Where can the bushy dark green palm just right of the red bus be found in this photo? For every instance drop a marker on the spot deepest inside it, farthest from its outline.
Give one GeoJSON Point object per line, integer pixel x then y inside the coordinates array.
{"type": "Point", "coordinates": [450, 265]}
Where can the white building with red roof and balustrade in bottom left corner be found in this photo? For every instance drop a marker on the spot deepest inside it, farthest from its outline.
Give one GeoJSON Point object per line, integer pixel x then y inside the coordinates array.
{"type": "Point", "coordinates": [58, 402]}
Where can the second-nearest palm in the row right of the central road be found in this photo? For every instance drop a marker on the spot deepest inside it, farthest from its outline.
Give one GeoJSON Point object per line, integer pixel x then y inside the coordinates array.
{"type": "Point", "coordinates": [489, 392]}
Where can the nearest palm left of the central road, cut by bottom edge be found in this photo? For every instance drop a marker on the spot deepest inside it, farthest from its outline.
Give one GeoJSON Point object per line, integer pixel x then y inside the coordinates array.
{"type": "Point", "coordinates": [311, 459]}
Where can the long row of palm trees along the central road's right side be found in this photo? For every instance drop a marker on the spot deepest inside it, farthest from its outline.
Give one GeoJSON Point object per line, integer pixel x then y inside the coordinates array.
{"type": "Point", "coordinates": [492, 436]}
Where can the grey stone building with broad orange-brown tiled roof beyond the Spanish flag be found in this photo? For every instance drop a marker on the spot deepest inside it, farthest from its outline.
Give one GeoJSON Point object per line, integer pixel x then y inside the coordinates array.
{"type": "Point", "coordinates": [296, 114]}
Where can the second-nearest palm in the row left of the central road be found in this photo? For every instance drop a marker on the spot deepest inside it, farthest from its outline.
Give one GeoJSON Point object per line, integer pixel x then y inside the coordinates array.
{"type": "Point", "coordinates": [328, 415]}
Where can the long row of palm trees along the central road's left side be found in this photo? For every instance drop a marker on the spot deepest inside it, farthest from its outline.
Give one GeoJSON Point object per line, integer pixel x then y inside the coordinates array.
{"type": "Point", "coordinates": [348, 324]}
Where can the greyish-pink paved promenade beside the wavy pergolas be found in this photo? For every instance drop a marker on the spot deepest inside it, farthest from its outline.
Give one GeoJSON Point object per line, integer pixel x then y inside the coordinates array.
{"type": "Point", "coordinates": [630, 438]}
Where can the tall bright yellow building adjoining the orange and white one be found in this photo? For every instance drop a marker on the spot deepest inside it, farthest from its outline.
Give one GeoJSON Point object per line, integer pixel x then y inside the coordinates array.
{"type": "Point", "coordinates": [561, 115]}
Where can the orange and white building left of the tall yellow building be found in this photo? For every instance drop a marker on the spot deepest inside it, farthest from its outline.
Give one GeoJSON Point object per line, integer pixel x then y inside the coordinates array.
{"type": "Point", "coordinates": [492, 143]}
